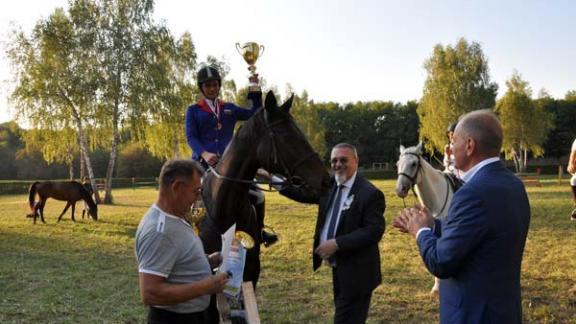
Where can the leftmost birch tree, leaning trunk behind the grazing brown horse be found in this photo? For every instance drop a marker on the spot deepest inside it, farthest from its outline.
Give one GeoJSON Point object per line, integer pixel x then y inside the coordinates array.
{"type": "Point", "coordinates": [55, 73]}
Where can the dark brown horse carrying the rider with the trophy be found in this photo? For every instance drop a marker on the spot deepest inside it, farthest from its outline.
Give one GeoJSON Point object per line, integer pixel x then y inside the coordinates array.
{"type": "Point", "coordinates": [270, 140]}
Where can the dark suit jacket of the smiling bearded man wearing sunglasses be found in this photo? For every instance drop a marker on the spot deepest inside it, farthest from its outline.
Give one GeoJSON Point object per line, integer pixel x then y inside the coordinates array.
{"type": "Point", "coordinates": [359, 230]}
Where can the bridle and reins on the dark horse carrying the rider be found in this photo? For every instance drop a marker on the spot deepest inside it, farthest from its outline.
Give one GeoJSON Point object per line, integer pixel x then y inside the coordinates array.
{"type": "Point", "coordinates": [274, 160]}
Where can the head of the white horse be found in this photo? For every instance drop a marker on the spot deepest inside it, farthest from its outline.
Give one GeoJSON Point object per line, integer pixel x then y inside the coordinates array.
{"type": "Point", "coordinates": [408, 169]}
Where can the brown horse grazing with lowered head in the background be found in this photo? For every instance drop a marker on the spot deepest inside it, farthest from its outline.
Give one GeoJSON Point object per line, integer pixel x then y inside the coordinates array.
{"type": "Point", "coordinates": [69, 191]}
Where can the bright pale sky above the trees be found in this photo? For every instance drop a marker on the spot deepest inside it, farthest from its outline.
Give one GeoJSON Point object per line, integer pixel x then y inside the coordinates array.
{"type": "Point", "coordinates": [356, 50]}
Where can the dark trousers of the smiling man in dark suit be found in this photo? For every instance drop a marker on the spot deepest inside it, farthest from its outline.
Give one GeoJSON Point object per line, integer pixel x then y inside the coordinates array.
{"type": "Point", "coordinates": [349, 310]}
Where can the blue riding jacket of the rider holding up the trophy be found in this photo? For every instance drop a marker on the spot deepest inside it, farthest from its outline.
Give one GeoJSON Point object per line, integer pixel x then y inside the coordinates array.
{"type": "Point", "coordinates": [205, 131]}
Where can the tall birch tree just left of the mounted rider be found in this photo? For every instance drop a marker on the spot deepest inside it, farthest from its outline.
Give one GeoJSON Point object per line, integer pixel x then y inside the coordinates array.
{"type": "Point", "coordinates": [131, 63]}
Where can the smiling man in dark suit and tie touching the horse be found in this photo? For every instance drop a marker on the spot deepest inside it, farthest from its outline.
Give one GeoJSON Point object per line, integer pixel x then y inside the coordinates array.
{"type": "Point", "coordinates": [349, 226]}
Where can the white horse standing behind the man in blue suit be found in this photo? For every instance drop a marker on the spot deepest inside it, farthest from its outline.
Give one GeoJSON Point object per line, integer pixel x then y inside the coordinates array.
{"type": "Point", "coordinates": [433, 187]}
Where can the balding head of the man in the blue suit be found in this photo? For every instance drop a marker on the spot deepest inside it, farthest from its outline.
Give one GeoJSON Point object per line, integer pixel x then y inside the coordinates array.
{"type": "Point", "coordinates": [484, 127]}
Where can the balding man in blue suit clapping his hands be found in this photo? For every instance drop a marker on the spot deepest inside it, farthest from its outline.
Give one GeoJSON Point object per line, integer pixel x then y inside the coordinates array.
{"type": "Point", "coordinates": [477, 250]}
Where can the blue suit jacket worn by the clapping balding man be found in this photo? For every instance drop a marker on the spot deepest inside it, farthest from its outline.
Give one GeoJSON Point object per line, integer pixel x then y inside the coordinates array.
{"type": "Point", "coordinates": [477, 250]}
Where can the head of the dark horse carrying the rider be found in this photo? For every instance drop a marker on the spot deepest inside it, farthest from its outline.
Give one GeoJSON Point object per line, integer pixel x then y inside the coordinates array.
{"type": "Point", "coordinates": [283, 149]}
